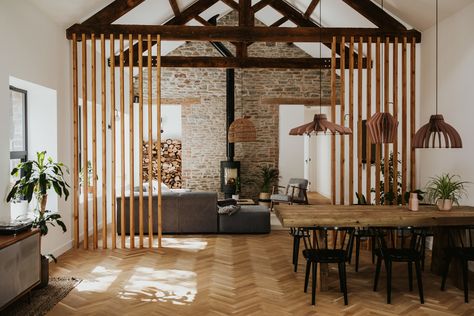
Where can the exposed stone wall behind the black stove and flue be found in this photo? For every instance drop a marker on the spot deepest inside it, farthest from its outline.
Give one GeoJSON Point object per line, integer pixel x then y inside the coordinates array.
{"type": "Point", "coordinates": [203, 125]}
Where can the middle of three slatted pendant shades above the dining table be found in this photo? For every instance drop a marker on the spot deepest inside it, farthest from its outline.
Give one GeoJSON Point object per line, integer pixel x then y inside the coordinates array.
{"type": "Point", "coordinates": [382, 128]}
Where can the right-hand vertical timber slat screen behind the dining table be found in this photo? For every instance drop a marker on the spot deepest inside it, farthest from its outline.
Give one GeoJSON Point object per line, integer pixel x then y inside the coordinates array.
{"type": "Point", "coordinates": [390, 65]}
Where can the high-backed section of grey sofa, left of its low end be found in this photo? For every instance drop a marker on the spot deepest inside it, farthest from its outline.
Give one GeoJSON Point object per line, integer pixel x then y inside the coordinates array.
{"type": "Point", "coordinates": [184, 212]}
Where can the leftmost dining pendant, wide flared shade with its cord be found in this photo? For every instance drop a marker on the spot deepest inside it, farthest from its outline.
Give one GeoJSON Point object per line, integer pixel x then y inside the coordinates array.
{"type": "Point", "coordinates": [320, 123]}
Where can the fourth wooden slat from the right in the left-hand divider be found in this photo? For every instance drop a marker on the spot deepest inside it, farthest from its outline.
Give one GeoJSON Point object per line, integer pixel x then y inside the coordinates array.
{"type": "Point", "coordinates": [131, 142]}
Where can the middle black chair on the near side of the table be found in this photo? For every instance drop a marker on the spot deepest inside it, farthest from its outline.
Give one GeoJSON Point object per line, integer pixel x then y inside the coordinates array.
{"type": "Point", "coordinates": [399, 245]}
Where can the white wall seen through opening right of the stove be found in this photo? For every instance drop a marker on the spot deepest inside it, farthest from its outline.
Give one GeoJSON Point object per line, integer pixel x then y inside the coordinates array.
{"type": "Point", "coordinates": [291, 148]}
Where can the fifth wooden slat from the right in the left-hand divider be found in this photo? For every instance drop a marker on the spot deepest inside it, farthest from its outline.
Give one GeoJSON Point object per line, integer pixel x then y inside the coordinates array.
{"type": "Point", "coordinates": [122, 142]}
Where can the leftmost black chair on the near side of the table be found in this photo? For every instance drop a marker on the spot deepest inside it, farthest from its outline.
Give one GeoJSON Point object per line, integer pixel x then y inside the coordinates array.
{"type": "Point", "coordinates": [319, 250]}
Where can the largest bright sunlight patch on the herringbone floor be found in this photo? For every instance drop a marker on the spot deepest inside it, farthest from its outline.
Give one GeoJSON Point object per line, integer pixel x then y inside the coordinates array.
{"type": "Point", "coordinates": [168, 286]}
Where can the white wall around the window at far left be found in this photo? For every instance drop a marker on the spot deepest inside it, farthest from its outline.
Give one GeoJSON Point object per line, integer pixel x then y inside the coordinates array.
{"type": "Point", "coordinates": [35, 49]}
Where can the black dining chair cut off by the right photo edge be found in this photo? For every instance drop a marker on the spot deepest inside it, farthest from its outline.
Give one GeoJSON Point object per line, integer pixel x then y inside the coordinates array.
{"type": "Point", "coordinates": [461, 246]}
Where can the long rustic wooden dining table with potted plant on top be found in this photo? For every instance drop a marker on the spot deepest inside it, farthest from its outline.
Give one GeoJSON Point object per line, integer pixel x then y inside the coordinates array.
{"type": "Point", "coordinates": [293, 216]}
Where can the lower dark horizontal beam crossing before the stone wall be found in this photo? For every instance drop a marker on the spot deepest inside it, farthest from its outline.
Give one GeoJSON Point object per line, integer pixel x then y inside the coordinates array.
{"type": "Point", "coordinates": [236, 62]}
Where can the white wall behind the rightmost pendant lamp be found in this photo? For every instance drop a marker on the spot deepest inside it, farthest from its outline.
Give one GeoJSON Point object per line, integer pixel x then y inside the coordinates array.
{"type": "Point", "coordinates": [456, 95]}
